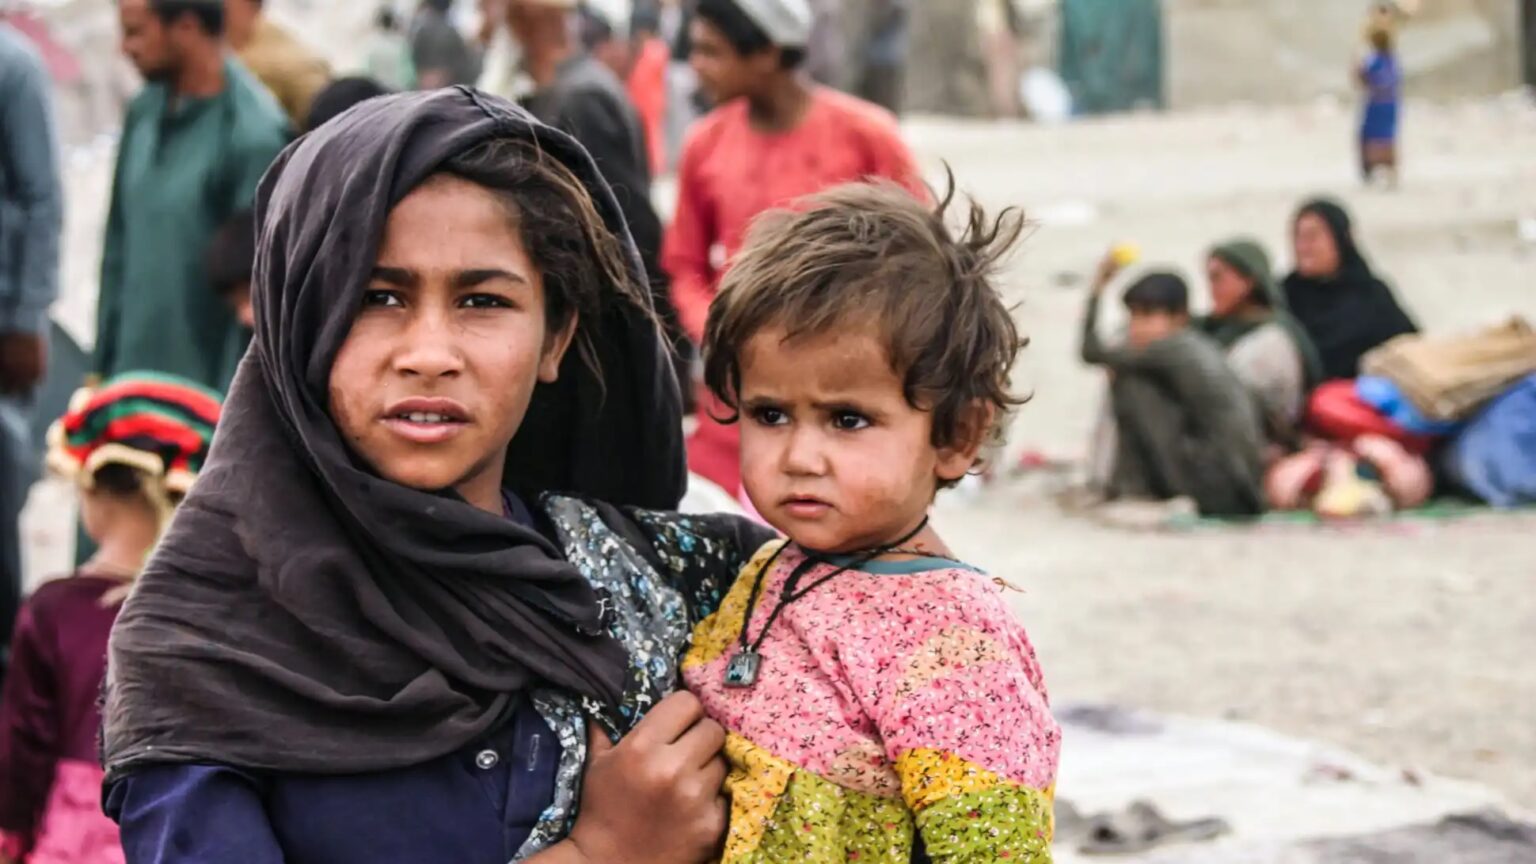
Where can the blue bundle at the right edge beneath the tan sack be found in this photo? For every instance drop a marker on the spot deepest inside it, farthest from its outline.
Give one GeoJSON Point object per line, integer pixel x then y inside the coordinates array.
{"type": "Point", "coordinates": [1495, 457]}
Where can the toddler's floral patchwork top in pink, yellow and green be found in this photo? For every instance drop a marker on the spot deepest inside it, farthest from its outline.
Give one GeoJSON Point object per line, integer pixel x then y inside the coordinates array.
{"type": "Point", "coordinates": [899, 714]}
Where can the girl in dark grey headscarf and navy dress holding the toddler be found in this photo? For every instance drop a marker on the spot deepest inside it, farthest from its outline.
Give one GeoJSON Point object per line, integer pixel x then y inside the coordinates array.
{"type": "Point", "coordinates": [426, 577]}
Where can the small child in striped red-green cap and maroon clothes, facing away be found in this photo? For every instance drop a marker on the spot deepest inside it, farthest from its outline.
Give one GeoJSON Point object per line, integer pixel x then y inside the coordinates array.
{"type": "Point", "coordinates": [133, 447]}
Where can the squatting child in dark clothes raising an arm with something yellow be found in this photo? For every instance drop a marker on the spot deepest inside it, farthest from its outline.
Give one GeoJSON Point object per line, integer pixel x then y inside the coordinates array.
{"type": "Point", "coordinates": [1187, 424]}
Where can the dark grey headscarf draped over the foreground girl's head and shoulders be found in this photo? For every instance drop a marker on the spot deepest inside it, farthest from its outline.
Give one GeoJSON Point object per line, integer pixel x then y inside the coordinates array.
{"type": "Point", "coordinates": [305, 614]}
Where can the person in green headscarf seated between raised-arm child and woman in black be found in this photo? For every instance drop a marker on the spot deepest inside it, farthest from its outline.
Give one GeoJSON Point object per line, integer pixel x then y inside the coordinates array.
{"type": "Point", "coordinates": [1266, 347]}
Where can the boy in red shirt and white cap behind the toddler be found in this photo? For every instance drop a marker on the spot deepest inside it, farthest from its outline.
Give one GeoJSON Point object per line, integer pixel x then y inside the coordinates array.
{"type": "Point", "coordinates": [773, 139]}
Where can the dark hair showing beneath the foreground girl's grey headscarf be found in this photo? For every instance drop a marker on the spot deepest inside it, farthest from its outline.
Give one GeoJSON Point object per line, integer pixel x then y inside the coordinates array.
{"type": "Point", "coordinates": [584, 265]}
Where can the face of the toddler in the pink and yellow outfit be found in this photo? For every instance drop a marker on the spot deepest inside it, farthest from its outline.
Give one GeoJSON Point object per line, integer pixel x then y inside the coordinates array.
{"type": "Point", "coordinates": [833, 454]}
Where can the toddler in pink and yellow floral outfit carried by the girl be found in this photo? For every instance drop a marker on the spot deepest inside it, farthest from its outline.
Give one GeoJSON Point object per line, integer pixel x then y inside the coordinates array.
{"type": "Point", "coordinates": [882, 705]}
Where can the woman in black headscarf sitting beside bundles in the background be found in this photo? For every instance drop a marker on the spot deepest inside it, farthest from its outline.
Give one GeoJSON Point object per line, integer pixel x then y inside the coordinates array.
{"type": "Point", "coordinates": [1334, 293]}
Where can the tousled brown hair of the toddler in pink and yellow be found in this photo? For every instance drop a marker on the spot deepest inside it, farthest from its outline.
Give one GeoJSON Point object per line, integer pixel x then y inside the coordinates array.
{"type": "Point", "coordinates": [873, 254]}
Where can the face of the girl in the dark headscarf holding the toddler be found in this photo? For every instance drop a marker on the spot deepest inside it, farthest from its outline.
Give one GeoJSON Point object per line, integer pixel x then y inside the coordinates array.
{"type": "Point", "coordinates": [443, 359]}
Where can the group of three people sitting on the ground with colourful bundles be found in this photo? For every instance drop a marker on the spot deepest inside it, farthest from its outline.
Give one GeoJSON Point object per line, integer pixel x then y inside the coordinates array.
{"type": "Point", "coordinates": [1309, 393]}
